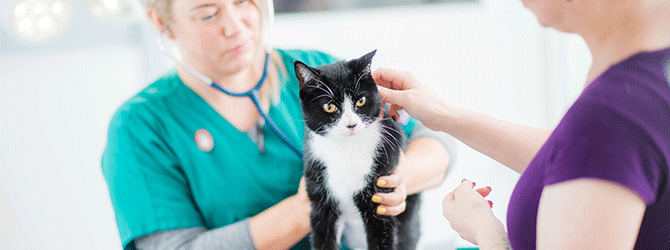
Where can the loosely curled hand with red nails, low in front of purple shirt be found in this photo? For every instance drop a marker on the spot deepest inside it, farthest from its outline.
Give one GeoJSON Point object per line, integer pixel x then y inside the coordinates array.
{"type": "Point", "coordinates": [469, 214]}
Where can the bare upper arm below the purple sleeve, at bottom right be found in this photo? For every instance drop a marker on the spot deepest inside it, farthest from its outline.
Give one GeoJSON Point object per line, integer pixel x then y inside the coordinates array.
{"type": "Point", "coordinates": [588, 214]}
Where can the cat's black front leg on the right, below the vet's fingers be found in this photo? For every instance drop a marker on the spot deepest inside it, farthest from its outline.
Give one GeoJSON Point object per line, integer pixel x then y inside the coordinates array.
{"type": "Point", "coordinates": [381, 230]}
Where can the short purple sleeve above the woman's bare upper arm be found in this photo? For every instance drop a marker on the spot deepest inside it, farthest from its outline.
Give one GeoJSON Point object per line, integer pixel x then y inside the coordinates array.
{"type": "Point", "coordinates": [605, 144]}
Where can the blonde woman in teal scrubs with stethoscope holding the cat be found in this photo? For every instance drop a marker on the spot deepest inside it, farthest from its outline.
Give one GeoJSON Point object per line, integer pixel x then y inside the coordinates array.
{"type": "Point", "coordinates": [190, 167]}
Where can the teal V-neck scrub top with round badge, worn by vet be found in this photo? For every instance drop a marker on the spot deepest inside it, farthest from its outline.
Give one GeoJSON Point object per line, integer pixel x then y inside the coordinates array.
{"type": "Point", "coordinates": [159, 179]}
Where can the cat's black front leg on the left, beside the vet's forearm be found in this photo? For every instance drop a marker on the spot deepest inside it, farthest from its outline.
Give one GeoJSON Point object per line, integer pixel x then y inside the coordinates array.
{"type": "Point", "coordinates": [323, 219]}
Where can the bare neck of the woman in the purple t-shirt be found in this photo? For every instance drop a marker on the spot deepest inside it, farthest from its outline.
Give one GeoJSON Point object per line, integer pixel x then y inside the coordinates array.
{"type": "Point", "coordinates": [625, 28]}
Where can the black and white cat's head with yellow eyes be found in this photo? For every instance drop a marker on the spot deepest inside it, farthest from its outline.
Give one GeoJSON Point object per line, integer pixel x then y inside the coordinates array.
{"type": "Point", "coordinates": [339, 98]}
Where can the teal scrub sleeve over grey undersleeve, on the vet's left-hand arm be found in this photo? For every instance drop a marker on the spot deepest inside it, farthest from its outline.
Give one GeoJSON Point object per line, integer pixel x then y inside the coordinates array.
{"type": "Point", "coordinates": [148, 190]}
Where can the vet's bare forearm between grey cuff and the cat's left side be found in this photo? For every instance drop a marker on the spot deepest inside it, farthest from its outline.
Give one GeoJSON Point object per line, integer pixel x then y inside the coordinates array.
{"type": "Point", "coordinates": [282, 225]}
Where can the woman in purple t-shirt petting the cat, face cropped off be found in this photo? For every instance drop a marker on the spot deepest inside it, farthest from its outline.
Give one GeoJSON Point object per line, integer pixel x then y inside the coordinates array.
{"type": "Point", "coordinates": [600, 179]}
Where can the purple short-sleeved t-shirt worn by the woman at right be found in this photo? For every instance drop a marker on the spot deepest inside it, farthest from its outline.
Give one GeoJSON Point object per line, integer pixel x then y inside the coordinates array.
{"type": "Point", "coordinates": [618, 130]}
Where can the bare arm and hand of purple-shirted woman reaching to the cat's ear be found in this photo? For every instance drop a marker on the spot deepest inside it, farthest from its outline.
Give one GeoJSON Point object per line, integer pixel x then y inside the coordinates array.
{"type": "Point", "coordinates": [511, 144]}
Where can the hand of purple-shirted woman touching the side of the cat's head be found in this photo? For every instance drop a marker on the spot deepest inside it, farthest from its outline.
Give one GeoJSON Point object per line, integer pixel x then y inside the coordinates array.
{"type": "Point", "coordinates": [404, 91]}
